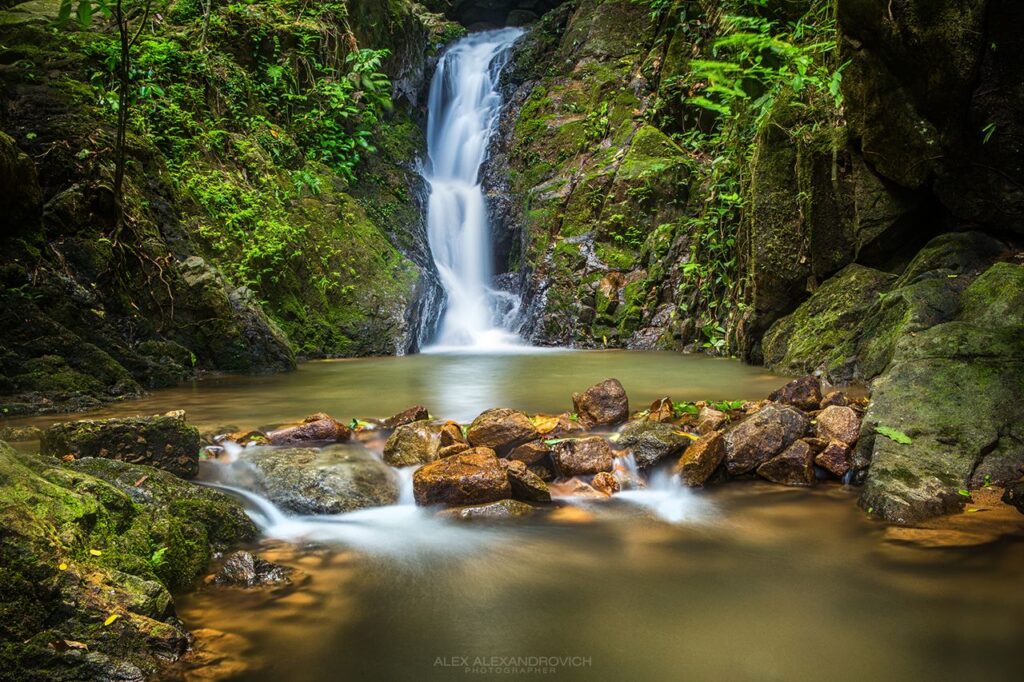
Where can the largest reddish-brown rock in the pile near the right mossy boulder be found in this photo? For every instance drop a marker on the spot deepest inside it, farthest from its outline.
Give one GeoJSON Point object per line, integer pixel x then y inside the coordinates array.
{"type": "Point", "coordinates": [761, 437]}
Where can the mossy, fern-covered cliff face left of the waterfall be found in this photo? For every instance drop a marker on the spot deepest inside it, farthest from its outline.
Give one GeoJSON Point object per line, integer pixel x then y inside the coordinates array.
{"type": "Point", "coordinates": [249, 240]}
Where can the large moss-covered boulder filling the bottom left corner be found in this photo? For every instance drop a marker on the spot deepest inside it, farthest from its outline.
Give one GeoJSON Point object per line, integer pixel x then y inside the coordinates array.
{"type": "Point", "coordinates": [94, 541]}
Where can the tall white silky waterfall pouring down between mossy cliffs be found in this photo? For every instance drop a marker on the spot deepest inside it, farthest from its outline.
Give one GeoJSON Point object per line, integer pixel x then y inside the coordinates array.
{"type": "Point", "coordinates": [464, 109]}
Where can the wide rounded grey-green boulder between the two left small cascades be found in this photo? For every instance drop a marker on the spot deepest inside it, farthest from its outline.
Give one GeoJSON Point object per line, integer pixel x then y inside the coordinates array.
{"type": "Point", "coordinates": [306, 481]}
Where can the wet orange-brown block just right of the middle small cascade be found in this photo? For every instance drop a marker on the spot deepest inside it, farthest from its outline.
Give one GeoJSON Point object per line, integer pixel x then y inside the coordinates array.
{"type": "Point", "coordinates": [472, 478]}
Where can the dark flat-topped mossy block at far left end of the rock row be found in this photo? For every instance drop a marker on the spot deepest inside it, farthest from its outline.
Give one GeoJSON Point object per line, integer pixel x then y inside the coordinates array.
{"type": "Point", "coordinates": [164, 443]}
